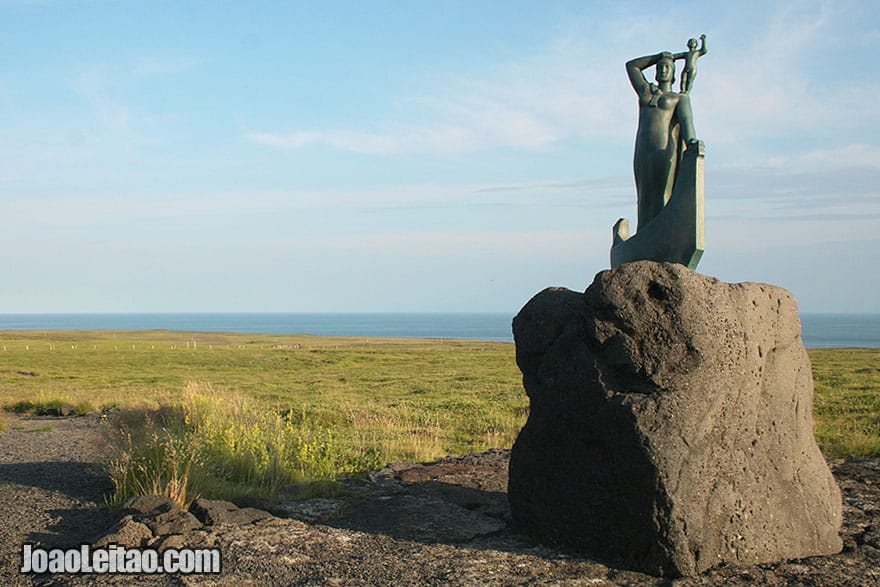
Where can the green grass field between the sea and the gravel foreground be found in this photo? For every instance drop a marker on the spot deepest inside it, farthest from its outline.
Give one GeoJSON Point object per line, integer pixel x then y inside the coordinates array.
{"type": "Point", "coordinates": [248, 413]}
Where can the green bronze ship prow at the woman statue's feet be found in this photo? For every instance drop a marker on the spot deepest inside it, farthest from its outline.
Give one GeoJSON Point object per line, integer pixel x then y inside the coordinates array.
{"type": "Point", "coordinates": [677, 233]}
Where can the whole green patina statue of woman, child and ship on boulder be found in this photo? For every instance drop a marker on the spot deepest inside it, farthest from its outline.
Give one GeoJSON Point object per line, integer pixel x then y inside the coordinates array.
{"type": "Point", "coordinates": [668, 166]}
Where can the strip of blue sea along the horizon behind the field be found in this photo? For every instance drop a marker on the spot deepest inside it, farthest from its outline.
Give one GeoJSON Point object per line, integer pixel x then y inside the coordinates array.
{"type": "Point", "coordinates": [819, 330]}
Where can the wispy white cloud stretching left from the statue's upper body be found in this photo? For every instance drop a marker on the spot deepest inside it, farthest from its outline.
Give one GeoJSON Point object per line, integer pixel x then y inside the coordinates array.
{"type": "Point", "coordinates": [530, 104]}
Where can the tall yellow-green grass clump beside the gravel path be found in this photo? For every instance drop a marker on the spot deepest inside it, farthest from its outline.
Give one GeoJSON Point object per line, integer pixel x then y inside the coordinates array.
{"type": "Point", "coordinates": [222, 444]}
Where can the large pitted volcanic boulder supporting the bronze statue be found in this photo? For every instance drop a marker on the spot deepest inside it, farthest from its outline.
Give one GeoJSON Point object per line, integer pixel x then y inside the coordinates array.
{"type": "Point", "coordinates": [671, 424]}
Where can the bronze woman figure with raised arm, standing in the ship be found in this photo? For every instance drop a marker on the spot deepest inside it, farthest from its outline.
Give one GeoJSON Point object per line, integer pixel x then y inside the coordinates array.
{"type": "Point", "coordinates": [665, 124]}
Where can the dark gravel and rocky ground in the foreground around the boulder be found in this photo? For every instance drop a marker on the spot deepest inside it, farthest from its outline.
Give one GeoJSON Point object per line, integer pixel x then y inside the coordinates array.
{"type": "Point", "coordinates": [440, 524]}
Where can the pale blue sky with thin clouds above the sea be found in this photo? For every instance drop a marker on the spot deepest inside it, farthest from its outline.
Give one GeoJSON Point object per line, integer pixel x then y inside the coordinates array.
{"type": "Point", "coordinates": [416, 156]}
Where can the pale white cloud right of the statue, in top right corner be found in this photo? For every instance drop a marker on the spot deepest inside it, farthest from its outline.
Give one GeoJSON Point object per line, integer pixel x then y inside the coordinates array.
{"type": "Point", "coordinates": [771, 87]}
